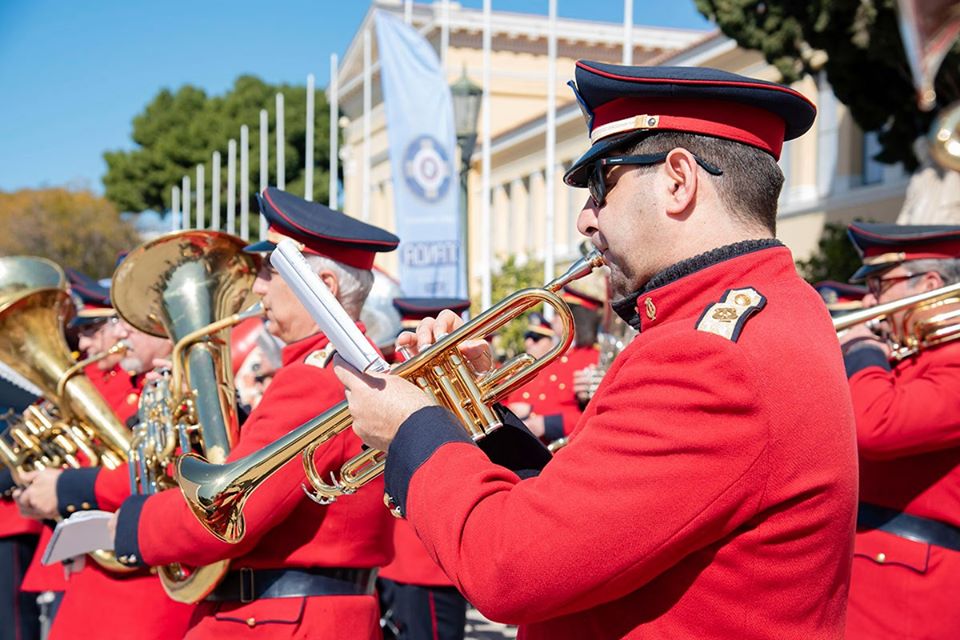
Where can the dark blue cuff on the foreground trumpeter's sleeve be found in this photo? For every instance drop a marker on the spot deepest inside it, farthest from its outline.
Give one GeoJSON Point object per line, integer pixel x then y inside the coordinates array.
{"type": "Point", "coordinates": [419, 436]}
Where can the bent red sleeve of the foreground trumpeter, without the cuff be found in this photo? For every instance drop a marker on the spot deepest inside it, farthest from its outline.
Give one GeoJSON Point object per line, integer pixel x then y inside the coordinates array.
{"type": "Point", "coordinates": [674, 476]}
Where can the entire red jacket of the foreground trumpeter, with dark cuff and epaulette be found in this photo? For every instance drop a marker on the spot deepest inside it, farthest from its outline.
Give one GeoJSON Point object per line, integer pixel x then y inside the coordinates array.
{"type": "Point", "coordinates": [709, 491]}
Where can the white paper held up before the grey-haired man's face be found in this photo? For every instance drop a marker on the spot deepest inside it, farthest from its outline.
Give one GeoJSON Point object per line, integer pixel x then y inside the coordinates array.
{"type": "Point", "coordinates": [324, 308]}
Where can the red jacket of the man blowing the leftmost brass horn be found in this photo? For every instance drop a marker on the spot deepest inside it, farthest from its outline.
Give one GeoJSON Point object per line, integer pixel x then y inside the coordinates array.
{"type": "Point", "coordinates": [99, 604]}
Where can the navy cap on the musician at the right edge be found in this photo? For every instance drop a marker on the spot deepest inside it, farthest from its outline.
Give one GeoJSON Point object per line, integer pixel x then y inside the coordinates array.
{"type": "Point", "coordinates": [884, 246]}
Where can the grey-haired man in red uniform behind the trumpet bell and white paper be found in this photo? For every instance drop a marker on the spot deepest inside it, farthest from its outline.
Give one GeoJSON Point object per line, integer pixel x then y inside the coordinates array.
{"type": "Point", "coordinates": [301, 571]}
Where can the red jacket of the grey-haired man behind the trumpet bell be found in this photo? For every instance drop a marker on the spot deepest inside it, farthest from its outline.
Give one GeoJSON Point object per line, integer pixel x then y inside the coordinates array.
{"type": "Point", "coordinates": [284, 528]}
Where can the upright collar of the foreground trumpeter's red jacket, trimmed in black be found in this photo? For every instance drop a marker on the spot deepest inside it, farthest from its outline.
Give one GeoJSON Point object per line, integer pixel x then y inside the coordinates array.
{"type": "Point", "coordinates": [688, 287]}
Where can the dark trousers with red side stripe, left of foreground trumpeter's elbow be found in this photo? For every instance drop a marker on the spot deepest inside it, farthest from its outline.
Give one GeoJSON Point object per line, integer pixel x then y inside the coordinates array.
{"type": "Point", "coordinates": [412, 612]}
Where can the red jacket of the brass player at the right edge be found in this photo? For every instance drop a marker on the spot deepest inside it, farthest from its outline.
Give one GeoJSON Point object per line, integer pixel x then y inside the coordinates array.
{"type": "Point", "coordinates": [908, 429]}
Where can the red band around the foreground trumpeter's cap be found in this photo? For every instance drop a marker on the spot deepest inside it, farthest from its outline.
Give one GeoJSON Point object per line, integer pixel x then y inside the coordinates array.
{"type": "Point", "coordinates": [719, 118]}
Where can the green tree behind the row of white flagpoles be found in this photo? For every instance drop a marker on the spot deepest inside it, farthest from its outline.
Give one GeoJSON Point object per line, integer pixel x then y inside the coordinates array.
{"type": "Point", "coordinates": [178, 130]}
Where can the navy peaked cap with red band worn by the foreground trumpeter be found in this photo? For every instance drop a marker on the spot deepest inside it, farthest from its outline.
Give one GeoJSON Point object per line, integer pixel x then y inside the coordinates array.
{"type": "Point", "coordinates": [623, 104]}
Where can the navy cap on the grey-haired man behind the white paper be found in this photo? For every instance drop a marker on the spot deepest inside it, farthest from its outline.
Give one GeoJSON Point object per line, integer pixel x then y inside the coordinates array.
{"type": "Point", "coordinates": [320, 230]}
